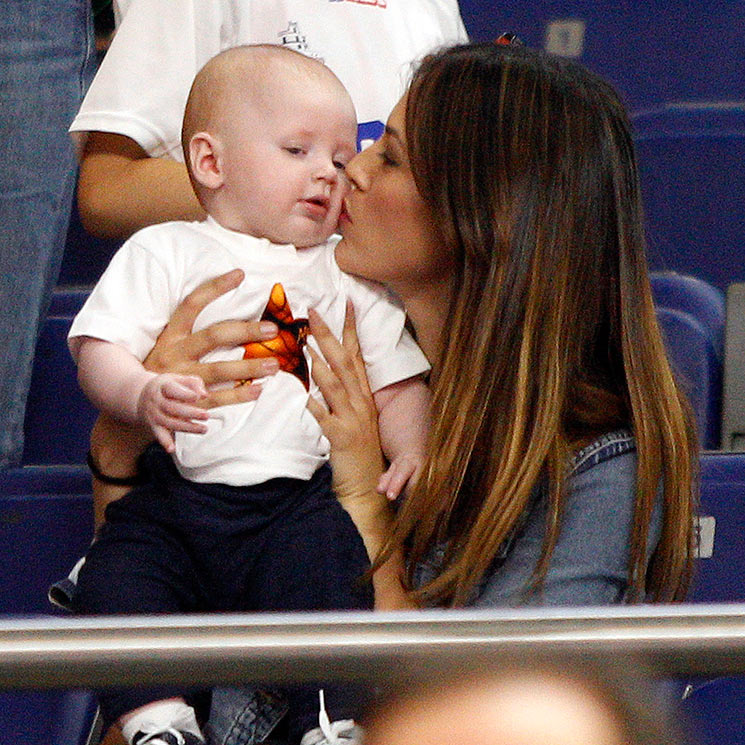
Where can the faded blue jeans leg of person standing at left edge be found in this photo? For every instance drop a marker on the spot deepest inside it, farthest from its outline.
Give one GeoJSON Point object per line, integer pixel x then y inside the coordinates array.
{"type": "Point", "coordinates": [46, 57]}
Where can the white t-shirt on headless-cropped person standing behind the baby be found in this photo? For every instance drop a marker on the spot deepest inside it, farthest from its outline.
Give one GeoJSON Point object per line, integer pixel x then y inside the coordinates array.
{"type": "Point", "coordinates": [141, 88]}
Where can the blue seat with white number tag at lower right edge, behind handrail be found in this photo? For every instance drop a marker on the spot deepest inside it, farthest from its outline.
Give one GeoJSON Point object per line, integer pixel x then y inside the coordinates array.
{"type": "Point", "coordinates": [716, 707]}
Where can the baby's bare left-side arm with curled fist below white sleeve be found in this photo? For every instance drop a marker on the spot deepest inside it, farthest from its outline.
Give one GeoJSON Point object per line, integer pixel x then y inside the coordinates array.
{"type": "Point", "coordinates": [117, 384]}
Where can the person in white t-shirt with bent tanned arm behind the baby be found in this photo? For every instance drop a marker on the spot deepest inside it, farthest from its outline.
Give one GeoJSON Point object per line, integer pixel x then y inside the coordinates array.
{"type": "Point", "coordinates": [132, 171]}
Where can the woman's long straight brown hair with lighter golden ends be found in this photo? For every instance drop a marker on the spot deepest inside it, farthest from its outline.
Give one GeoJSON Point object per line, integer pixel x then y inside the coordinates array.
{"type": "Point", "coordinates": [528, 162]}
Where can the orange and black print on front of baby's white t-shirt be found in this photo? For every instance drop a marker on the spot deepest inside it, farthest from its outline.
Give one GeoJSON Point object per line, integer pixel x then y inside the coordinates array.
{"type": "Point", "coordinates": [288, 345]}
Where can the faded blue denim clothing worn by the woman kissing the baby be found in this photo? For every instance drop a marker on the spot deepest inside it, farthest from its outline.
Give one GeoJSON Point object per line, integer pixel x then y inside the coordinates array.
{"type": "Point", "coordinates": [589, 566]}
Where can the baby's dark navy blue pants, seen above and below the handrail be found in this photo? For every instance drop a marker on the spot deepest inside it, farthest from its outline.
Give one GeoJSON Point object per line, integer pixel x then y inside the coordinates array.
{"type": "Point", "coordinates": [173, 546]}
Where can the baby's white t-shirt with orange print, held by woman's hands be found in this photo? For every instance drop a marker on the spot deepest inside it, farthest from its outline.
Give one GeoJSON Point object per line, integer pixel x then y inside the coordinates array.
{"type": "Point", "coordinates": [276, 435]}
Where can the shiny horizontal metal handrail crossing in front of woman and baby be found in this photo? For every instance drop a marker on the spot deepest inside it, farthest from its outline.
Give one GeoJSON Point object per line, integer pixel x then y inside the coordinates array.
{"type": "Point", "coordinates": [380, 647]}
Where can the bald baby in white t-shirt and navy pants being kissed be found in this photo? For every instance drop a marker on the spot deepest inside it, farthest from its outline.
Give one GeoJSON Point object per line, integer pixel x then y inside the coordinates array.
{"type": "Point", "coordinates": [239, 514]}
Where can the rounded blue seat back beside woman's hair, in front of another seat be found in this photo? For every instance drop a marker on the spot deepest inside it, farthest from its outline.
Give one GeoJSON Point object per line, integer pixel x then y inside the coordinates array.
{"type": "Point", "coordinates": [698, 366]}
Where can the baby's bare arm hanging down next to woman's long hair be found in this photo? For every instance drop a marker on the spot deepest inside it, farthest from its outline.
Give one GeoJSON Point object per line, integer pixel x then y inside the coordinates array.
{"type": "Point", "coordinates": [403, 420]}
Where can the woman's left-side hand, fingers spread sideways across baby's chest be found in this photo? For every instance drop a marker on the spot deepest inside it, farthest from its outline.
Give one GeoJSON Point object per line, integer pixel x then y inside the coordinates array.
{"type": "Point", "coordinates": [178, 349]}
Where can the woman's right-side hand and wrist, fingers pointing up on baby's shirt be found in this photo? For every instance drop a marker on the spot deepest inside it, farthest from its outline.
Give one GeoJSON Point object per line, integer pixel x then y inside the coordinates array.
{"type": "Point", "coordinates": [350, 422]}
